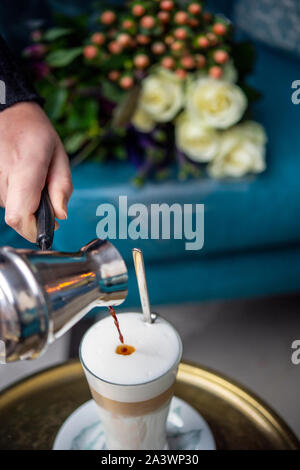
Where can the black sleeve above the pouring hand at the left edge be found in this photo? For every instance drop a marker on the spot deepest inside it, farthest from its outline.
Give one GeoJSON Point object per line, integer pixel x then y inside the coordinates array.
{"type": "Point", "coordinates": [14, 85]}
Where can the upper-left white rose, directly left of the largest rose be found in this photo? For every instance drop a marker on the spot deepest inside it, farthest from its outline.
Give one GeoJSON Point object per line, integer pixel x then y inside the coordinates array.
{"type": "Point", "coordinates": [162, 95]}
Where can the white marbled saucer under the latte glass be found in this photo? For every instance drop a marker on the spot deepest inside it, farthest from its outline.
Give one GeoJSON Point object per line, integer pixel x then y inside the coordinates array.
{"type": "Point", "coordinates": [186, 429]}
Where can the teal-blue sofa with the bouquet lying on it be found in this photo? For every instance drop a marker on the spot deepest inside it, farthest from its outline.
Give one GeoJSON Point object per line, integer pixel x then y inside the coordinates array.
{"type": "Point", "coordinates": [252, 226]}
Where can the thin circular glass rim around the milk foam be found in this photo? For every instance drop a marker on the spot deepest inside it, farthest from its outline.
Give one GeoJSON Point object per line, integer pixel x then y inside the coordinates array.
{"type": "Point", "coordinates": [176, 363]}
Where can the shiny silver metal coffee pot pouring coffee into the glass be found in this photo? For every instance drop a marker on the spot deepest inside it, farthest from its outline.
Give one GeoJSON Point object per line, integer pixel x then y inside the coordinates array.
{"type": "Point", "coordinates": [44, 293]}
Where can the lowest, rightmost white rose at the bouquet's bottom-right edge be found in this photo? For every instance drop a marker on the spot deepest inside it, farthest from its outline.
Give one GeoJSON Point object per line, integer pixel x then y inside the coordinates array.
{"type": "Point", "coordinates": [242, 150]}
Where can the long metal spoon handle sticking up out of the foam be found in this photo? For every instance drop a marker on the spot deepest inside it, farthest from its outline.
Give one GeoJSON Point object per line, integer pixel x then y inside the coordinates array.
{"type": "Point", "coordinates": [139, 265]}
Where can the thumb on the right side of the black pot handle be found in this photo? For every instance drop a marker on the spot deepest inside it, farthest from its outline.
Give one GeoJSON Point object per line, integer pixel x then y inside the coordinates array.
{"type": "Point", "coordinates": [59, 182]}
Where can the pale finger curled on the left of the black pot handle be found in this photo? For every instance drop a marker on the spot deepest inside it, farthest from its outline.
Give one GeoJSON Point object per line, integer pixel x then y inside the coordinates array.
{"type": "Point", "coordinates": [23, 196]}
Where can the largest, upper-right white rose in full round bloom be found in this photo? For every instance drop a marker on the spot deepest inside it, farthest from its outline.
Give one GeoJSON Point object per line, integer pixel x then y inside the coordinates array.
{"type": "Point", "coordinates": [218, 103]}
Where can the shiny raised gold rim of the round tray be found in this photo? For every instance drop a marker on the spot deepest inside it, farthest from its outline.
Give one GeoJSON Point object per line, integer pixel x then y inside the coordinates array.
{"type": "Point", "coordinates": [217, 383]}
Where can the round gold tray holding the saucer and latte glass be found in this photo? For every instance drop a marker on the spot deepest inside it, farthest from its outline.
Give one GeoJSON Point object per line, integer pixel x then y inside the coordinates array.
{"type": "Point", "coordinates": [32, 411]}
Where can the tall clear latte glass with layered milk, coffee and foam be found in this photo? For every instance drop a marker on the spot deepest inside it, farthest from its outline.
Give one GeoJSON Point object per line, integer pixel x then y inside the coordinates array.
{"type": "Point", "coordinates": [132, 391]}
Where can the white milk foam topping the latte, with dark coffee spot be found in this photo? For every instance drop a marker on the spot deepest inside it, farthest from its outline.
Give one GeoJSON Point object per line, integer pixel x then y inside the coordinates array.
{"type": "Point", "coordinates": [157, 349]}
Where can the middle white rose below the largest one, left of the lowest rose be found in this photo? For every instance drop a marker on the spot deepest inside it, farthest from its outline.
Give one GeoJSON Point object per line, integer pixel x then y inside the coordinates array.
{"type": "Point", "coordinates": [198, 142]}
